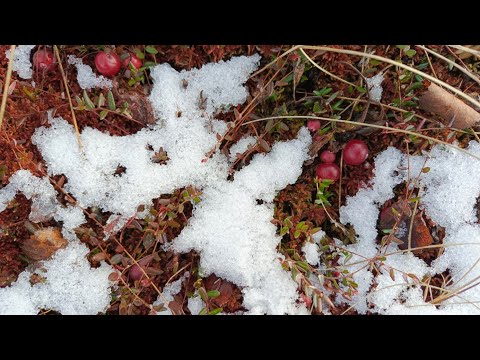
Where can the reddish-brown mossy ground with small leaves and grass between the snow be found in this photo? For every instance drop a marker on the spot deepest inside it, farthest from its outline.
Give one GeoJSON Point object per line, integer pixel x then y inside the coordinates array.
{"type": "Point", "coordinates": [292, 87]}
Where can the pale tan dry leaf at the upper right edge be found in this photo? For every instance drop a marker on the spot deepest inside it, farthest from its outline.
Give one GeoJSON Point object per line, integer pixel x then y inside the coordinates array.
{"type": "Point", "coordinates": [455, 112]}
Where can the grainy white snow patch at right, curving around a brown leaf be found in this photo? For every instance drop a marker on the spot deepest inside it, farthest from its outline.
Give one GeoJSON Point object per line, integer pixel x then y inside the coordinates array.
{"type": "Point", "coordinates": [448, 194]}
